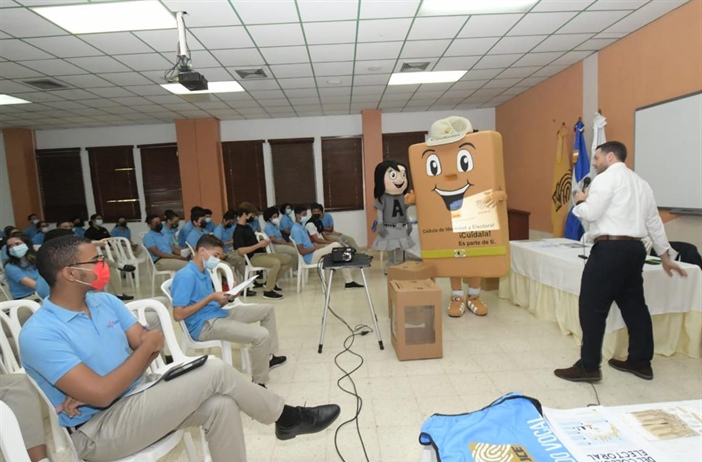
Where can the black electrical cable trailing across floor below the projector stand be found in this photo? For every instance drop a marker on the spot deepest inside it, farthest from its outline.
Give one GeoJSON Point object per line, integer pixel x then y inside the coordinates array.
{"type": "Point", "coordinates": [359, 329]}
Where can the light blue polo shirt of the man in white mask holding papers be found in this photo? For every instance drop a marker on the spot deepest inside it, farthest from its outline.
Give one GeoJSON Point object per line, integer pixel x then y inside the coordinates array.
{"type": "Point", "coordinates": [190, 285]}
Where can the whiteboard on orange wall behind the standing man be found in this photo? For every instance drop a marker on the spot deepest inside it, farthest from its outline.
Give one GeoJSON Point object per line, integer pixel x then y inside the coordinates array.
{"type": "Point", "coordinates": [668, 151]}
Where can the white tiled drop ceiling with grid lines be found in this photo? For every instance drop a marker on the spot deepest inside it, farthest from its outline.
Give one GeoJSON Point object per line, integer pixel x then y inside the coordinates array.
{"type": "Point", "coordinates": [305, 47]}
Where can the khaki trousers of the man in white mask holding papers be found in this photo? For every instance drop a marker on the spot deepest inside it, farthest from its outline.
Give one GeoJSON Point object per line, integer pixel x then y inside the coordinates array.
{"type": "Point", "coordinates": [239, 327]}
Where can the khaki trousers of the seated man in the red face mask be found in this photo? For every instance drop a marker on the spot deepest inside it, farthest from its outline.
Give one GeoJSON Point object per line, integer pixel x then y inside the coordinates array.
{"type": "Point", "coordinates": [212, 397]}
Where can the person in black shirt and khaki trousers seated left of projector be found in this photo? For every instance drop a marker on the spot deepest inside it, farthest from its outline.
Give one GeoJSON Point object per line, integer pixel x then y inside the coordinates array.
{"type": "Point", "coordinates": [245, 243]}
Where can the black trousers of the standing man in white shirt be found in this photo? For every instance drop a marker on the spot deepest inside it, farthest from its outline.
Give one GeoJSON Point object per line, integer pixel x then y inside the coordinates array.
{"type": "Point", "coordinates": [613, 273]}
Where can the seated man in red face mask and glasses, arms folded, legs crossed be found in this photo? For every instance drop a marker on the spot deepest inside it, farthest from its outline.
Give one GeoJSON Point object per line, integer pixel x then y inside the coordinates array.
{"type": "Point", "coordinates": [86, 350]}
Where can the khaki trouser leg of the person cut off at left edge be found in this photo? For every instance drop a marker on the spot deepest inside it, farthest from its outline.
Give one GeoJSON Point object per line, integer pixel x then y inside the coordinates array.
{"type": "Point", "coordinates": [18, 393]}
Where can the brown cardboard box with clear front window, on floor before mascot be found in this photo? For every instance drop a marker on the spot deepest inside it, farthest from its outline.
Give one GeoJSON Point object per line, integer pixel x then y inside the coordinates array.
{"type": "Point", "coordinates": [415, 319]}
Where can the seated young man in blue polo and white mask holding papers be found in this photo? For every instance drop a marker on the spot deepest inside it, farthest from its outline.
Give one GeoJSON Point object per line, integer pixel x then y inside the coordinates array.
{"type": "Point", "coordinates": [196, 303]}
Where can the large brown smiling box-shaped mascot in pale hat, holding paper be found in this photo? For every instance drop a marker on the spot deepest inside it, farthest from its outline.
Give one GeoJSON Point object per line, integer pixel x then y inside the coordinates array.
{"type": "Point", "coordinates": [459, 190]}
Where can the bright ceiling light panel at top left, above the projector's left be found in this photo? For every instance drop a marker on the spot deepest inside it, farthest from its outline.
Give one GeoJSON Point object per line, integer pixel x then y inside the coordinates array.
{"type": "Point", "coordinates": [110, 17]}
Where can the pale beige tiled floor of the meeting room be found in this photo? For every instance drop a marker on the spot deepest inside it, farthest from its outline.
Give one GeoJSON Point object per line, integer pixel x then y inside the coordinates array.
{"type": "Point", "coordinates": [484, 358]}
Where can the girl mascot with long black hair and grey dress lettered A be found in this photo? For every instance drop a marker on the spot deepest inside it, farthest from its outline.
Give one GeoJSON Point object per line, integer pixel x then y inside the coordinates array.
{"type": "Point", "coordinates": [394, 229]}
